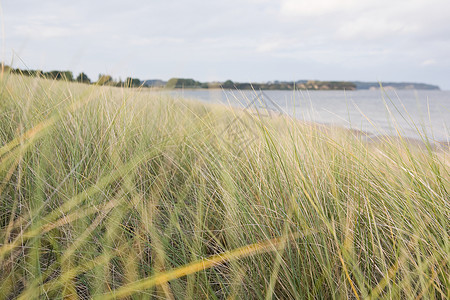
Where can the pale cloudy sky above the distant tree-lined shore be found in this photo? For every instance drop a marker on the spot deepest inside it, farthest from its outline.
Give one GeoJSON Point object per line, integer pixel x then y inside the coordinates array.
{"type": "Point", "coordinates": [241, 40]}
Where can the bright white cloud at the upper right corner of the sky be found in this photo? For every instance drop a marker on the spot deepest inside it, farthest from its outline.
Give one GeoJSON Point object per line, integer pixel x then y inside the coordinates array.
{"type": "Point", "coordinates": [359, 19]}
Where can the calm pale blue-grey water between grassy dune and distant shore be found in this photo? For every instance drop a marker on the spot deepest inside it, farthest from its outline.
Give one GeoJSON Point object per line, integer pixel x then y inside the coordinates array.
{"type": "Point", "coordinates": [377, 112]}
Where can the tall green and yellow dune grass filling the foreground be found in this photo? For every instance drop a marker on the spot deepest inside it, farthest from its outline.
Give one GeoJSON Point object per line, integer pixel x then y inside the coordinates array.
{"type": "Point", "coordinates": [113, 193]}
